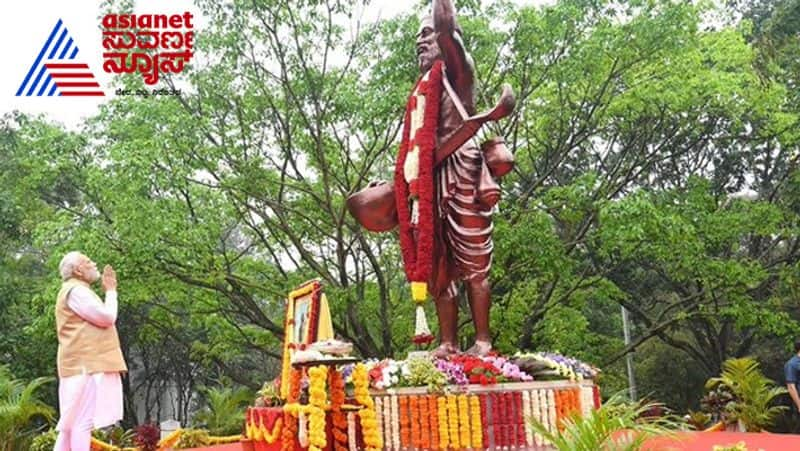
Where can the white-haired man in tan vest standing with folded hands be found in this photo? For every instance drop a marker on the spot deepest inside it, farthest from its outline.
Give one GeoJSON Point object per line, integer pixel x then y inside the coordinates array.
{"type": "Point", "coordinates": [89, 356]}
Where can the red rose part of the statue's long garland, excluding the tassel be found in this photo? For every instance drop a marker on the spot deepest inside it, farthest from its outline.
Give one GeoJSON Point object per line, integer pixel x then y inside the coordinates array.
{"type": "Point", "coordinates": [418, 256]}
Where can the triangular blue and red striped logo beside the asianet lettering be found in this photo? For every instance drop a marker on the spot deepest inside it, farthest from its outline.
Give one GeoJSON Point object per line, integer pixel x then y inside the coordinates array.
{"type": "Point", "coordinates": [56, 72]}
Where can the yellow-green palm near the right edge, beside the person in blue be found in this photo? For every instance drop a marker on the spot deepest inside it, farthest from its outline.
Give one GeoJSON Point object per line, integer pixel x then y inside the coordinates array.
{"type": "Point", "coordinates": [754, 394]}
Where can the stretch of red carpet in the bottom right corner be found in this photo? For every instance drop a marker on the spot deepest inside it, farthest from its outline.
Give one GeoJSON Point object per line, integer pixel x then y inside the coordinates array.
{"type": "Point", "coordinates": [705, 441]}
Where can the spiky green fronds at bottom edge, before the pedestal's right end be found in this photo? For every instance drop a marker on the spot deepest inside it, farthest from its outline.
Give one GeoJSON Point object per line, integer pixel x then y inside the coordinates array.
{"type": "Point", "coordinates": [617, 425]}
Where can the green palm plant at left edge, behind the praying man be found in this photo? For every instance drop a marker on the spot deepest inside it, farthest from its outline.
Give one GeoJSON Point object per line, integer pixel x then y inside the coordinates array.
{"type": "Point", "coordinates": [21, 410]}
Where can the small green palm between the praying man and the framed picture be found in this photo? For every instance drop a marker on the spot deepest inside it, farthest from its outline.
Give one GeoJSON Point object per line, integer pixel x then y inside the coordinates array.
{"type": "Point", "coordinates": [223, 413]}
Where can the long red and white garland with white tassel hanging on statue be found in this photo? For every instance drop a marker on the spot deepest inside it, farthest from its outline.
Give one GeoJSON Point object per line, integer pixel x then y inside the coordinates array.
{"type": "Point", "coordinates": [414, 185]}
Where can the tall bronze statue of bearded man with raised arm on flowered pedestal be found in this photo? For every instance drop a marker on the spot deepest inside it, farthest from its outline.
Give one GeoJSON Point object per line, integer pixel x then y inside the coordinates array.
{"type": "Point", "coordinates": [464, 189]}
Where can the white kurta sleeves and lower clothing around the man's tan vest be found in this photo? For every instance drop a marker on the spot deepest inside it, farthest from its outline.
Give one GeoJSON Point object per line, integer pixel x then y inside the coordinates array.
{"type": "Point", "coordinates": [88, 401]}
